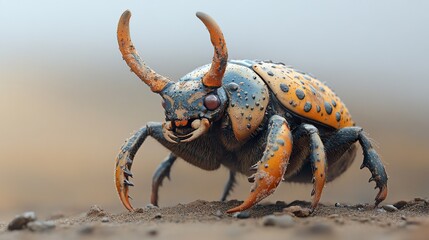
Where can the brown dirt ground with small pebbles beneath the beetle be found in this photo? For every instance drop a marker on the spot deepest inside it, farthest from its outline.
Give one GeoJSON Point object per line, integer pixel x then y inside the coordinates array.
{"type": "Point", "coordinates": [207, 220]}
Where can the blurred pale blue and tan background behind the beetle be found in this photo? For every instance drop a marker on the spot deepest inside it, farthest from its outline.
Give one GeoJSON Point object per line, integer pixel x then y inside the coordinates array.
{"type": "Point", "coordinates": [68, 101]}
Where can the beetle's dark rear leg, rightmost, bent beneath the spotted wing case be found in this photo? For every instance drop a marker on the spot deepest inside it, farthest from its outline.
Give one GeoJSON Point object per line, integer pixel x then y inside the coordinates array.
{"type": "Point", "coordinates": [371, 160]}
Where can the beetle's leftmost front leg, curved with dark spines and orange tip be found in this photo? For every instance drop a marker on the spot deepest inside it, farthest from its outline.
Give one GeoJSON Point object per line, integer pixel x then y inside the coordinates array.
{"type": "Point", "coordinates": [124, 161]}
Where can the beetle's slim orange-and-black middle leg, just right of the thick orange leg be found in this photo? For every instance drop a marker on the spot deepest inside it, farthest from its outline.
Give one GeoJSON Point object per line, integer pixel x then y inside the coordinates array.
{"type": "Point", "coordinates": [317, 159]}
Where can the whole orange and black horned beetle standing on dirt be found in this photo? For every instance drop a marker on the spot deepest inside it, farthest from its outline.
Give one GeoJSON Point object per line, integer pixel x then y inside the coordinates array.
{"type": "Point", "coordinates": [262, 119]}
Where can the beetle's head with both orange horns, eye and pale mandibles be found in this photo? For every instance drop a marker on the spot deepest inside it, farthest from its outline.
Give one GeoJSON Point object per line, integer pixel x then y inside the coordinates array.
{"type": "Point", "coordinates": [191, 105]}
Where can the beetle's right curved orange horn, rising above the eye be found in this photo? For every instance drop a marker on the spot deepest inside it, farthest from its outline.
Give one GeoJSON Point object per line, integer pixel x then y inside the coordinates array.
{"type": "Point", "coordinates": [213, 77]}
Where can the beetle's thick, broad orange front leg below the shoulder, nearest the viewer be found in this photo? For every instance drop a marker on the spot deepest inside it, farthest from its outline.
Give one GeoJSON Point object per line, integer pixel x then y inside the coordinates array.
{"type": "Point", "coordinates": [271, 168]}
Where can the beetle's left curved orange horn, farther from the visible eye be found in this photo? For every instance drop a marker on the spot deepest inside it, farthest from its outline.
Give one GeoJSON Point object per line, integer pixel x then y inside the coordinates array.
{"type": "Point", "coordinates": [155, 81]}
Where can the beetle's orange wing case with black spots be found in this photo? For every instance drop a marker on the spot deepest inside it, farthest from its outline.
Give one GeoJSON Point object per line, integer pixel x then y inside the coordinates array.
{"type": "Point", "coordinates": [304, 95]}
